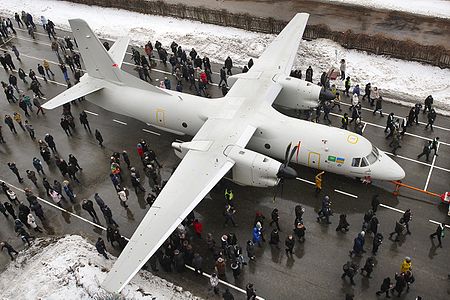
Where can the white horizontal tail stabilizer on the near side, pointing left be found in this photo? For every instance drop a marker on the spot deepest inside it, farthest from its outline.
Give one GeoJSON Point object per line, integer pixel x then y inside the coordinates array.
{"type": "Point", "coordinates": [84, 87]}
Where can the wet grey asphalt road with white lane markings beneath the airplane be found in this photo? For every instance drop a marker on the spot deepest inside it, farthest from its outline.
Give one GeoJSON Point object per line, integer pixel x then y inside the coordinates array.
{"type": "Point", "coordinates": [314, 271]}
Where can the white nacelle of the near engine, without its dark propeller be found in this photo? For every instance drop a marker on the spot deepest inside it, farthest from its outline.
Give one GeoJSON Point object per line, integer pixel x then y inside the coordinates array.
{"type": "Point", "coordinates": [252, 168]}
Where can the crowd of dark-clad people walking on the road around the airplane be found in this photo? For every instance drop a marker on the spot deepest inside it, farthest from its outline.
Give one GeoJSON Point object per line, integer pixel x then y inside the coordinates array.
{"type": "Point", "coordinates": [188, 68]}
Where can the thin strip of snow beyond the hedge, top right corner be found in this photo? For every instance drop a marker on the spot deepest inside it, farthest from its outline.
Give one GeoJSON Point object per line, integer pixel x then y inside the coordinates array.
{"type": "Point", "coordinates": [435, 8]}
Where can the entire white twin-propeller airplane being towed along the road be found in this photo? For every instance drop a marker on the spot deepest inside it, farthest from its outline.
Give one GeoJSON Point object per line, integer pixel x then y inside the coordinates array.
{"type": "Point", "coordinates": [240, 135]}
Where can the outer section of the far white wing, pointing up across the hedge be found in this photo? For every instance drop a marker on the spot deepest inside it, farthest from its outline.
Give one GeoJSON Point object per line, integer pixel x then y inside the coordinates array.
{"type": "Point", "coordinates": [280, 54]}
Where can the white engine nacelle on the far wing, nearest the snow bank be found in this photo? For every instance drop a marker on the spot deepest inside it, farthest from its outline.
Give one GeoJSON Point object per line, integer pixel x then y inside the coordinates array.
{"type": "Point", "coordinates": [297, 93]}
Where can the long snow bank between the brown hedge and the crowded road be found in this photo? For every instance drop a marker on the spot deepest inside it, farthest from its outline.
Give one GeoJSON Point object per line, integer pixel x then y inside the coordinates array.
{"type": "Point", "coordinates": [401, 81]}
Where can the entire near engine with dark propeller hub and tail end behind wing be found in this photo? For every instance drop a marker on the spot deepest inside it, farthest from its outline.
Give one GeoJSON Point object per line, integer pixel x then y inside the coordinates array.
{"type": "Point", "coordinates": [251, 168]}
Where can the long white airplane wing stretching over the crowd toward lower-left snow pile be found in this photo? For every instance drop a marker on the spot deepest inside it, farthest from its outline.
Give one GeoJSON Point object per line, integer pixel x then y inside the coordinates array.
{"type": "Point", "coordinates": [196, 175]}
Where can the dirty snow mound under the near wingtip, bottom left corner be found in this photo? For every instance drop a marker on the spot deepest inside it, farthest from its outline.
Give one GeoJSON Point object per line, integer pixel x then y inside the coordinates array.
{"type": "Point", "coordinates": [71, 268]}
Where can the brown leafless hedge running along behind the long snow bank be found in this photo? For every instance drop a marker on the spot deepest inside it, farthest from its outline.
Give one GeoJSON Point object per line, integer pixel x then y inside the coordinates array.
{"type": "Point", "coordinates": [378, 44]}
